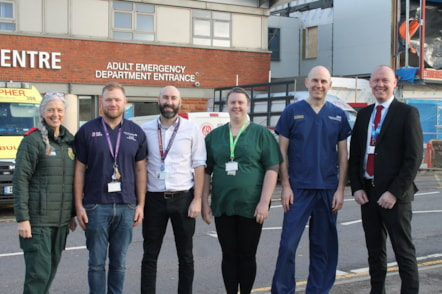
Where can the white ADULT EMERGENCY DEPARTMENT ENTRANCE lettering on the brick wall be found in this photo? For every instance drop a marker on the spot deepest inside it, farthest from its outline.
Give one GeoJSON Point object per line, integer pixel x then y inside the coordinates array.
{"type": "Point", "coordinates": [142, 71]}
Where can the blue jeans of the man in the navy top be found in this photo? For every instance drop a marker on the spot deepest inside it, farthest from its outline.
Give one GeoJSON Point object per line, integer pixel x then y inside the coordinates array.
{"type": "Point", "coordinates": [109, 227]}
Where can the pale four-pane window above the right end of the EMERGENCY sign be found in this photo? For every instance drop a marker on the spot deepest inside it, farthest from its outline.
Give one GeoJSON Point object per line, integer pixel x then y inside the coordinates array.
{"type": "Point", "coordinates": [211, 28]}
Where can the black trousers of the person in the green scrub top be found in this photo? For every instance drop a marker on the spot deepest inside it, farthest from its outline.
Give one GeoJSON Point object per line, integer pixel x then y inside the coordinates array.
{"type": "Point", "coordinates": [238, 237]}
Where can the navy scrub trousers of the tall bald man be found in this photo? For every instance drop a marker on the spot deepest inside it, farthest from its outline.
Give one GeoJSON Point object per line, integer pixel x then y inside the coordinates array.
{"type": "Point", "coordinates": [313, 206]}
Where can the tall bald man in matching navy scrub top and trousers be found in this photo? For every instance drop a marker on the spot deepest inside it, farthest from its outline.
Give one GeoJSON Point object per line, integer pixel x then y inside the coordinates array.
{"type": "Point", "coordinates": [313, 140]}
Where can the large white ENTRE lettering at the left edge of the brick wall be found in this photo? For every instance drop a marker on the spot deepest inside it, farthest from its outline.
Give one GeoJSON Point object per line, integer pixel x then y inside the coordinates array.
{"type": "Point", "coordinates": [31, 59]}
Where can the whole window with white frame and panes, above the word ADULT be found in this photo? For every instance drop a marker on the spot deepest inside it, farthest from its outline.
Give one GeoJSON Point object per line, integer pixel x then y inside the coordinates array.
{"type": "Point", "coordinates": [133, 21]}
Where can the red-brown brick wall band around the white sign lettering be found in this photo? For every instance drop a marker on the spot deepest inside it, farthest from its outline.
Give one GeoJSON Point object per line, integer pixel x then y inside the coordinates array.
{"type": "Point", "coordinates": [81, 59]}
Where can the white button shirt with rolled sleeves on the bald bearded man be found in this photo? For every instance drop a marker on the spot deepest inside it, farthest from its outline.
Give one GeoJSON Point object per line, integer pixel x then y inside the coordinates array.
{"type": "Point", "coordinates": [188, 151]}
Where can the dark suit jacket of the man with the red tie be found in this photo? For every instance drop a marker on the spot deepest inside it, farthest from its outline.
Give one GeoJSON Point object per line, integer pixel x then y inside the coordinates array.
{"type": "Point", "coordinates": [398, 152]}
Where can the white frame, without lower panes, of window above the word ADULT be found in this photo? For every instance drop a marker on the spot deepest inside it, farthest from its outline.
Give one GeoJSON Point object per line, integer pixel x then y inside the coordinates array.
{"type": "Point", "coordinates": [133, 33]}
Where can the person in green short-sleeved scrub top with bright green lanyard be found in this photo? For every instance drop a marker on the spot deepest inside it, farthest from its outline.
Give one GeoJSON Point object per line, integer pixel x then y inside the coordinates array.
{"type": "Point", "coordinates": [242, 165]}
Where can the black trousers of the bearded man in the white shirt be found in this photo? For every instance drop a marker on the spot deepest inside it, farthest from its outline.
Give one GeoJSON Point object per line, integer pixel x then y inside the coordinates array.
{"type": "Point", "coordinates": [158, 210]}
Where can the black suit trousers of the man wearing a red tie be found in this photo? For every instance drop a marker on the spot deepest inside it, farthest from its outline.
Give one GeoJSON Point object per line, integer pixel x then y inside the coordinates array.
{"type": "Point", "coordinates": [377, 222]}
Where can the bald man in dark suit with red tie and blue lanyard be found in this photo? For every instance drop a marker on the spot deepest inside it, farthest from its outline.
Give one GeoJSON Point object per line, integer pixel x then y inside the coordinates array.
{"type": "Point", "coordinates": [385, 153]}
